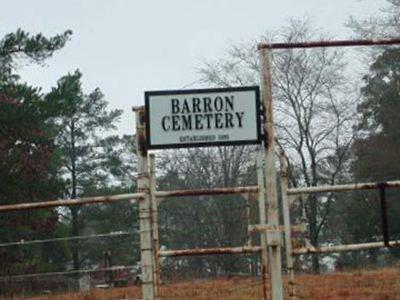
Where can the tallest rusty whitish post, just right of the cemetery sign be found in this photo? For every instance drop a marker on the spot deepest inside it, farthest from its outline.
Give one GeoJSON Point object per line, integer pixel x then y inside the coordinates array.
{"type": "Point", "coordinates": [273, 234]}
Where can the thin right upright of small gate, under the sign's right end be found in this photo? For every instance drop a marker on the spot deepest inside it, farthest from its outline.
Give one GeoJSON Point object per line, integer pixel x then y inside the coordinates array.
{"type": "Point", "coordinates": [262, 221]}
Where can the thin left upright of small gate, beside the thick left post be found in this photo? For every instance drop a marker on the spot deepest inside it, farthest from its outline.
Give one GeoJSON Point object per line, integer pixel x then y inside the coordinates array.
{"type": "Point", "coordinates": [154, 218]}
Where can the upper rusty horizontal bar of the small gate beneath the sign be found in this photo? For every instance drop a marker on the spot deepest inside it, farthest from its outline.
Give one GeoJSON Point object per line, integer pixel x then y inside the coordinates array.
{"type": "Point", "coordinates": [205, 192]}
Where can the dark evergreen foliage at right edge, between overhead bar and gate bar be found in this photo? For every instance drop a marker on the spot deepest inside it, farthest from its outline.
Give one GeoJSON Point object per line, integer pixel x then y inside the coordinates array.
{"type": "Point", "coordinates": [377, 150]}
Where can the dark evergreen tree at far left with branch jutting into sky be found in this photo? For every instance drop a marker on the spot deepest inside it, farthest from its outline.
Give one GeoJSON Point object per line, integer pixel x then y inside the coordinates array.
{"type": "Point", "coordinates": [28, 157]}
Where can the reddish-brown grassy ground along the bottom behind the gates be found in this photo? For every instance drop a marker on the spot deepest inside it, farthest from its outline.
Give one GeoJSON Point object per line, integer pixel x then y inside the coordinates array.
{"type": "Point", "coordinates": [379, 284]}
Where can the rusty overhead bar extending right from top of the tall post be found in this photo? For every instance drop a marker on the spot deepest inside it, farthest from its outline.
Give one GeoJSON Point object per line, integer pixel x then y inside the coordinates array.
{"type": "Point", "coordinates": [325, 44]}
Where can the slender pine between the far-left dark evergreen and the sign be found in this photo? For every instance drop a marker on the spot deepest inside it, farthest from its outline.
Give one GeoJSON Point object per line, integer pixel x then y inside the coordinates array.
{"type": "Point", "coordinates": [92, 162]}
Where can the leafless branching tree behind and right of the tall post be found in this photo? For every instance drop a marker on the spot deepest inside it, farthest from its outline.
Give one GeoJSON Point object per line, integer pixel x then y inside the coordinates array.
{"type": "Point", "coordinates": [313, 109]}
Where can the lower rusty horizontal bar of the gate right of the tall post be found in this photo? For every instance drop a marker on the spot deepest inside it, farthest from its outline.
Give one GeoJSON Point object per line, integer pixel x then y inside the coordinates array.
{"type": "Point", "coordinates": [343, 248]}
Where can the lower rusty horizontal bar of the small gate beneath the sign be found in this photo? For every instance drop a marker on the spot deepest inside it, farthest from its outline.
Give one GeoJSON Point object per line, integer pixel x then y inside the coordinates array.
{"type": "Point", "coordinates": [209, 251]}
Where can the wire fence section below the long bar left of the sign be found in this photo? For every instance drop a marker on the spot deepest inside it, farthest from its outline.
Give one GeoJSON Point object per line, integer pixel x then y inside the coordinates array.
{"type": "Point", "coordinates": [52, 262]}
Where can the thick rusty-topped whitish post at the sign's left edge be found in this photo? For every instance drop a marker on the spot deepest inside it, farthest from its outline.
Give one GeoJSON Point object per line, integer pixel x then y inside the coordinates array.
{"type": "Point", "coordinates": [143, 185]}
